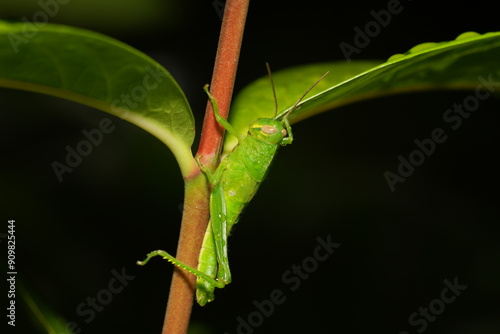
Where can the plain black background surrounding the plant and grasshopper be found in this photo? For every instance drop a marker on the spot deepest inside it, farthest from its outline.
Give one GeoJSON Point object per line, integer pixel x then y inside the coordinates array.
{"type": "Point", "coordinates": [396, 249]}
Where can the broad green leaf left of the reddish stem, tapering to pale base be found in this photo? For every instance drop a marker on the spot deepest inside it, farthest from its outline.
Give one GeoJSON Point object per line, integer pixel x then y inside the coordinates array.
{"type": "Point", "coordinates": [101, 72]}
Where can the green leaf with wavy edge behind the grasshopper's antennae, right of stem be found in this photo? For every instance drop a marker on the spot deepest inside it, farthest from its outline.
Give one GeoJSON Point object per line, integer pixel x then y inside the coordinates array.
{"type": "Point", "coordinates": [464, 63]}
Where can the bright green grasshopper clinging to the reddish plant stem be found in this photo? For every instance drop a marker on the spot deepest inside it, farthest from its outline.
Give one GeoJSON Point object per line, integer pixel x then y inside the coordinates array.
{"type": "Point", "coordinates": [234, 183]}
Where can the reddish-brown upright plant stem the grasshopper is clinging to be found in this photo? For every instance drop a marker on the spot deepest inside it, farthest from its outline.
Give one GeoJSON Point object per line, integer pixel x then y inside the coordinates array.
{"type": "Point", "coordinates": [196, 205]}
